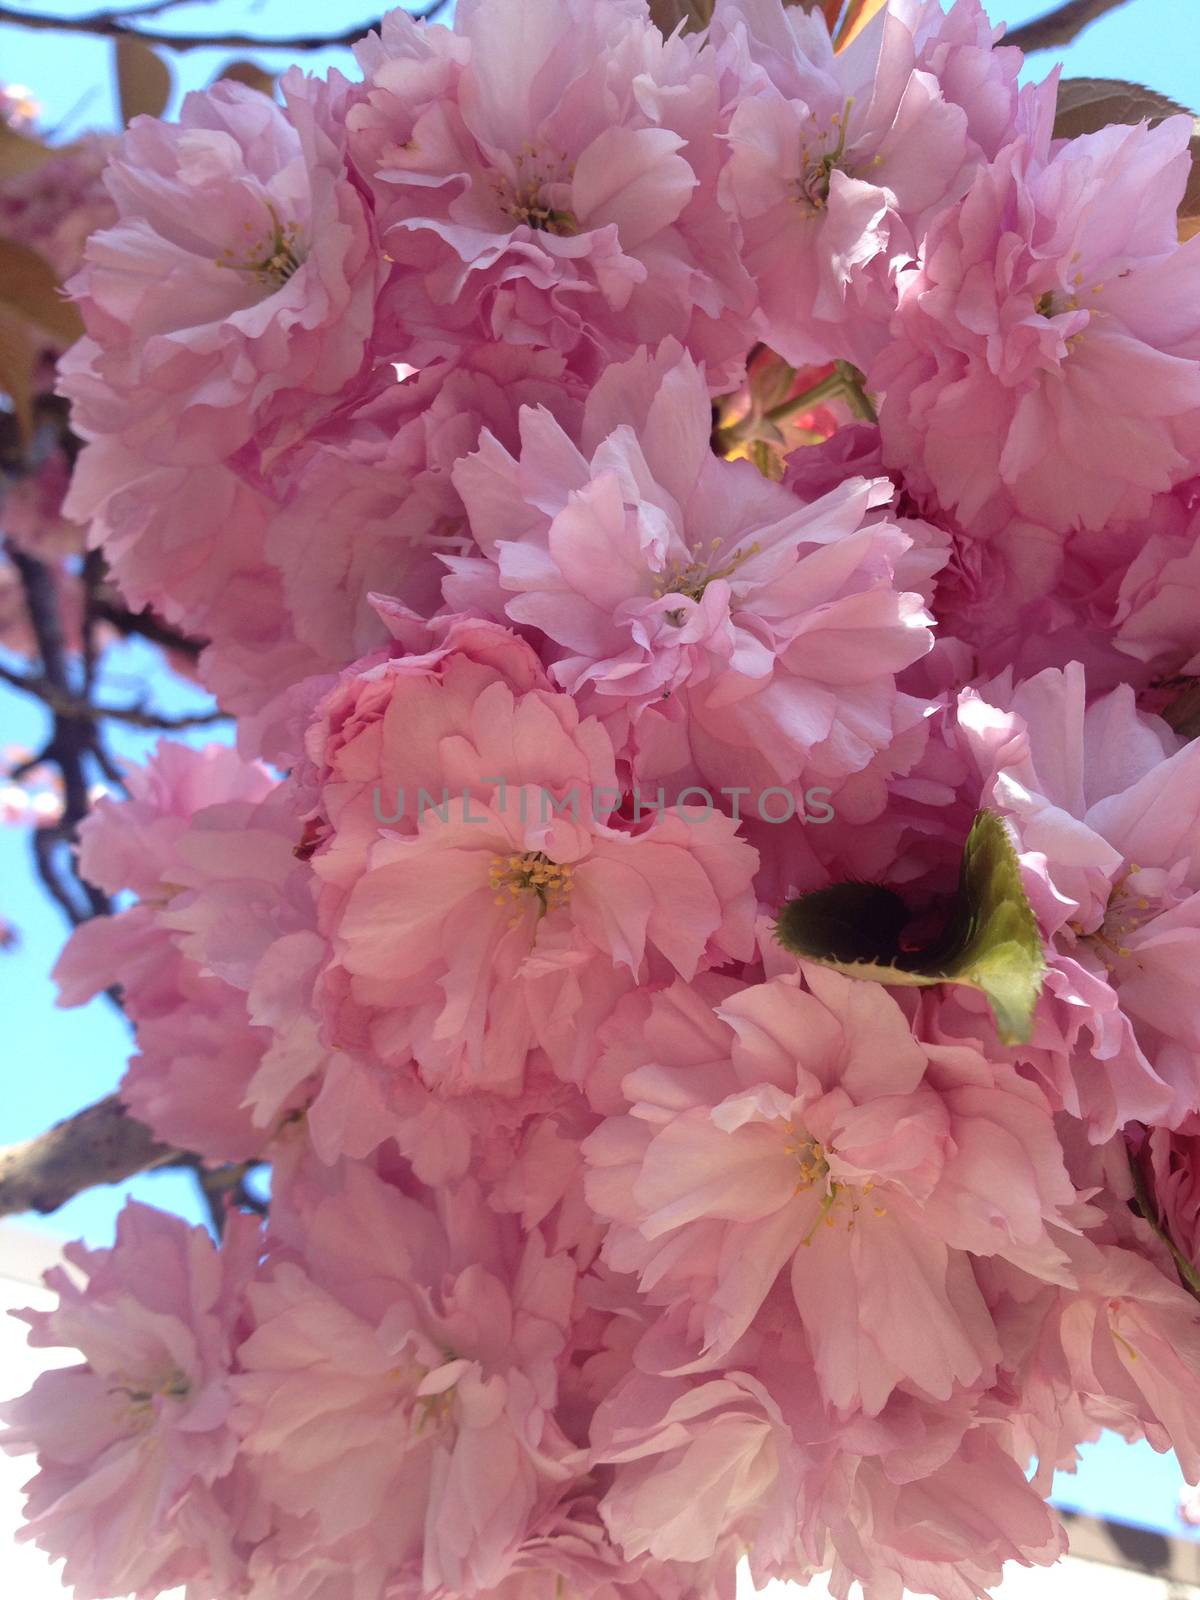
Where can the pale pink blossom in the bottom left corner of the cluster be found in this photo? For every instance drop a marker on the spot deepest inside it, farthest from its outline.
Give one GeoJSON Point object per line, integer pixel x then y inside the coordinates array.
{"type": "Point", "coordinates": [134, 1441]}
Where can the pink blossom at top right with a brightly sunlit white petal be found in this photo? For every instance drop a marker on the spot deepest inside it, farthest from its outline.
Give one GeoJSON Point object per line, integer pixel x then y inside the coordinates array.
{"type": "Point", "coordinates": [838, 162]}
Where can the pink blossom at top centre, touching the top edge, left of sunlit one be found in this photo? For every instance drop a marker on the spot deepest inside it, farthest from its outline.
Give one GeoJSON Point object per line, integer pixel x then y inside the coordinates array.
{"type": "Point", "coordinates": [546, 175]}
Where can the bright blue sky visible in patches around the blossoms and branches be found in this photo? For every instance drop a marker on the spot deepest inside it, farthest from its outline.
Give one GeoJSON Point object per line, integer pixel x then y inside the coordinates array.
{"type": "Point", "coordinates": [62, 1060]}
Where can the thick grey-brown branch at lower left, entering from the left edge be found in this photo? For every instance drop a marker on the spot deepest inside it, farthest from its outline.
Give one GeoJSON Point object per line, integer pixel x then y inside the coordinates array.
{"type": "Point", "coordinates": [102, 1145]}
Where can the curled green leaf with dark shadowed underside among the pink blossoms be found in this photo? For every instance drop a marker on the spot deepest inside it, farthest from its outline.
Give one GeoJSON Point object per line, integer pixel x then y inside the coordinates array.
{"type": "Point", "coordinates": [991, 942]}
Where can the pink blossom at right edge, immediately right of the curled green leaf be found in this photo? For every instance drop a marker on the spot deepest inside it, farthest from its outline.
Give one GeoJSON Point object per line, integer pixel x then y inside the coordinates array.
{"type": "Point", "coordinates": [1105, 804]}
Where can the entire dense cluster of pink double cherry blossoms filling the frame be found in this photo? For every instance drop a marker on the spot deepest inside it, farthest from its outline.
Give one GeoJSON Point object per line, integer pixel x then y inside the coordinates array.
{"type": "Point", "coordinates": [580, 449]}
